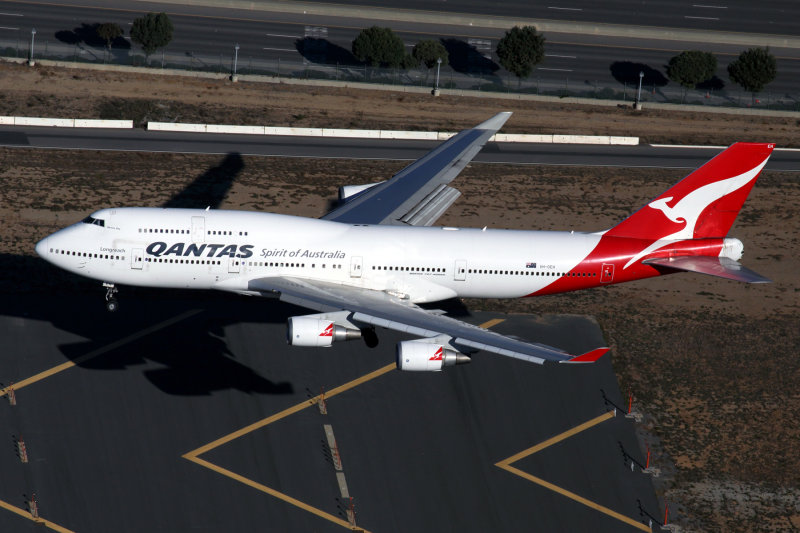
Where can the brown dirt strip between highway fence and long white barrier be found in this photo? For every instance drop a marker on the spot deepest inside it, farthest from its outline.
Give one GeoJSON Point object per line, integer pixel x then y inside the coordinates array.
{"type": "Point", "coordinates": [43, 91]}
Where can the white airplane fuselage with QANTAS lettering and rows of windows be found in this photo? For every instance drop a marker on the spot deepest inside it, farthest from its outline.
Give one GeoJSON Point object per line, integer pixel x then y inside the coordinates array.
{"type": "Point", "coordinates": [187, 248]}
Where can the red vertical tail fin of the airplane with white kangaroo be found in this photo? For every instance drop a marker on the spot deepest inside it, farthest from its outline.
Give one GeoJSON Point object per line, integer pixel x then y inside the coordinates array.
{"type": "Point", "coordinates": [705, 203]}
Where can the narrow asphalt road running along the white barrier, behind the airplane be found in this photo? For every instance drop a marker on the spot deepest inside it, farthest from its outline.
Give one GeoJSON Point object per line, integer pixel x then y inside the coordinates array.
{"type": "Point", "coordinates": [323, 147]}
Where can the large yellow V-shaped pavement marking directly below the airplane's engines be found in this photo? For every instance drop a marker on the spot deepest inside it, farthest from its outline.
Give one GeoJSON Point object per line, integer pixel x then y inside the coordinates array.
{"type": "Point", "coordinates": [194, 455]}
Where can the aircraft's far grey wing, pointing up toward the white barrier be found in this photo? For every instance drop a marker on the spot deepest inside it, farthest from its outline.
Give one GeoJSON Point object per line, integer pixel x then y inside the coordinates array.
{"type": "Point", "coordinates": [418, 195]}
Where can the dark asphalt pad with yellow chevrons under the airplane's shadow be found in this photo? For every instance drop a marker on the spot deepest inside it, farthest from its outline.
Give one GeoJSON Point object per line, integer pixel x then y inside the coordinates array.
{"type": "Point", "coordinates": [106, 438]}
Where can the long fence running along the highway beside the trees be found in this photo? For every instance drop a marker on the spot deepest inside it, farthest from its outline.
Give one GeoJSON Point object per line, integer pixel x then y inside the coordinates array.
{"type": "Point", "coordinates": [314, 63]}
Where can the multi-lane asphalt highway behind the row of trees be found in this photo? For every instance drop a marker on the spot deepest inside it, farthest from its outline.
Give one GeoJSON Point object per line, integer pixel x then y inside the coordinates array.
{"type": "Point", "coordinates": [205, 37]}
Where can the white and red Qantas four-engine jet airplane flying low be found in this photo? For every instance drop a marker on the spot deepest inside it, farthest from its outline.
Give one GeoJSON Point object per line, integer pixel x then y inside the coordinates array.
{"type": "Point", "coordinates": [371, 261]}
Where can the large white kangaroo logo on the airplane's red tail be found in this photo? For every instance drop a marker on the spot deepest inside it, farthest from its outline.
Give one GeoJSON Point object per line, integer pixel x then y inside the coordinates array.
{"type": "Point", "coordinates": [689, 207]}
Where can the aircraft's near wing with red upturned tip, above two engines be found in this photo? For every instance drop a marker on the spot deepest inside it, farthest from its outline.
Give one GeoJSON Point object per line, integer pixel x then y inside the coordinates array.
{"type": "Point", "coordinates": [381, 309]}
